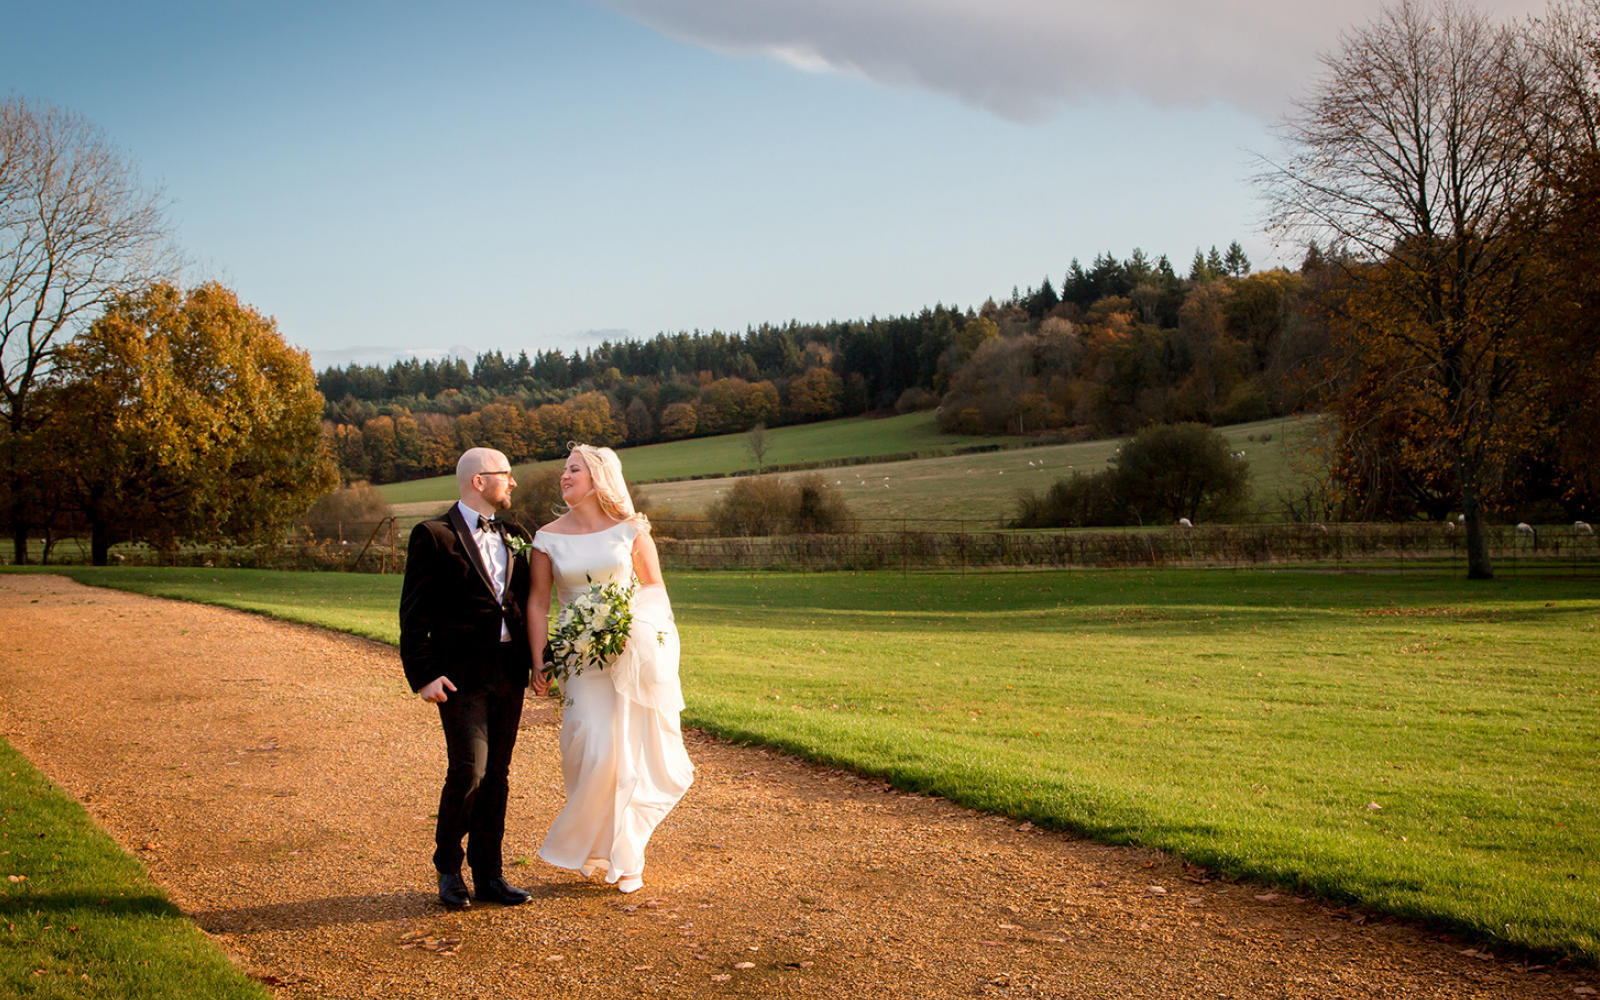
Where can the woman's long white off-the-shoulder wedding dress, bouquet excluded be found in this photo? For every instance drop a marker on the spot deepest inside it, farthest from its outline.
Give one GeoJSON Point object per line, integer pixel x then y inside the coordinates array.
{"type": "Point", "coordinates": [623, 759]}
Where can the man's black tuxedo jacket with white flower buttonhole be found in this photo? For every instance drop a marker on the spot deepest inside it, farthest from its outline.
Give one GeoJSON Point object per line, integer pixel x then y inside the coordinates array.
{"type": "Point", "coordinates": [450, 625]}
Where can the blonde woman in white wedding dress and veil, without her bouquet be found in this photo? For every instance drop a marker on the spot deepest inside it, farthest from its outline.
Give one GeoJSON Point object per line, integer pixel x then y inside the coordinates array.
{"type": "Point", "coordinates": [623, 759]}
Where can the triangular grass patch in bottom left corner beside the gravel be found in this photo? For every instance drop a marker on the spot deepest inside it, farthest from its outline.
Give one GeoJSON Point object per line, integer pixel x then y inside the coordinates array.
{"type": "Point", "coordinates": [82, 919]}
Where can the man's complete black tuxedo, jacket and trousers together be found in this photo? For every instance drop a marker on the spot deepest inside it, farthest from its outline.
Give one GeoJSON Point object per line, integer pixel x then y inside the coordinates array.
{"type": "Point", "coordinates": [450, 626]}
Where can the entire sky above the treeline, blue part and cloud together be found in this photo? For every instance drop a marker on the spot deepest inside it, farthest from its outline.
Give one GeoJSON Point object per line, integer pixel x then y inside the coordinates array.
{"type": "Point", "coordinates": [393, 178]}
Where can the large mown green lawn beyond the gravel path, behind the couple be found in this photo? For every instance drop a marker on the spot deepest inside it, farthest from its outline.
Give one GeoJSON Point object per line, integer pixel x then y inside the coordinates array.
{"type": "Point", "coordinates": [1418, 745]}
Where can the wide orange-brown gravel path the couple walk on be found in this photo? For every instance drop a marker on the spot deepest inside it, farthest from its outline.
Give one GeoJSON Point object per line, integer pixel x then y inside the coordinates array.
{"type": "Point", "coordinates": [279, 783]}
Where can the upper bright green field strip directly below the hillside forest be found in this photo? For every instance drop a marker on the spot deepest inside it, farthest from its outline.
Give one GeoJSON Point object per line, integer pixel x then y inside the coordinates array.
{"type": "Point", "coordinates": [831, 441]}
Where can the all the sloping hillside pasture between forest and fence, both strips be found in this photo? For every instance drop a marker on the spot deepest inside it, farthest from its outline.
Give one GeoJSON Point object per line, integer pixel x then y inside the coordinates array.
{"type": "Point", "coordinates": [974, 490]}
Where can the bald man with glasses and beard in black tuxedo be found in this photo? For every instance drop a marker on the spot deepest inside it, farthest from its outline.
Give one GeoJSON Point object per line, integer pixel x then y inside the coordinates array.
{"type": "Point", "coordinates": [465, 647]}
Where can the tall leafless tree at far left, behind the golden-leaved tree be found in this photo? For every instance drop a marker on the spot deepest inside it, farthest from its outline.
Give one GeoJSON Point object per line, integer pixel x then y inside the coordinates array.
{"type": "Point", "coordinates": [76, 228]}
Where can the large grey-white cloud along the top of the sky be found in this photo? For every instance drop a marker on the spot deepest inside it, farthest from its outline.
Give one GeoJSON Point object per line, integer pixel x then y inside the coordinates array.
{"type": "Point", "coordinates": [1026, 58]}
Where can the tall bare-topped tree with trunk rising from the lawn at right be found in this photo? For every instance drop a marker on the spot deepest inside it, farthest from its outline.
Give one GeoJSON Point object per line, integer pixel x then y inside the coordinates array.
{"type": "Point", "coordinates": [1414, 161]}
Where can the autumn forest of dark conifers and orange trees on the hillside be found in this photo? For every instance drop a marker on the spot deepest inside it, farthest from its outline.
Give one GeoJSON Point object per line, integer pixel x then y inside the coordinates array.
{"type": "Point", "coordinates": [1122, 345]}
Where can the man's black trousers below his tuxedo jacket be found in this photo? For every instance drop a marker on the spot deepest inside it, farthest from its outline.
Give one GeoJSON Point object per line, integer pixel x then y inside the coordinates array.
{"type": "Point", "coordinates": [481, 732]}
